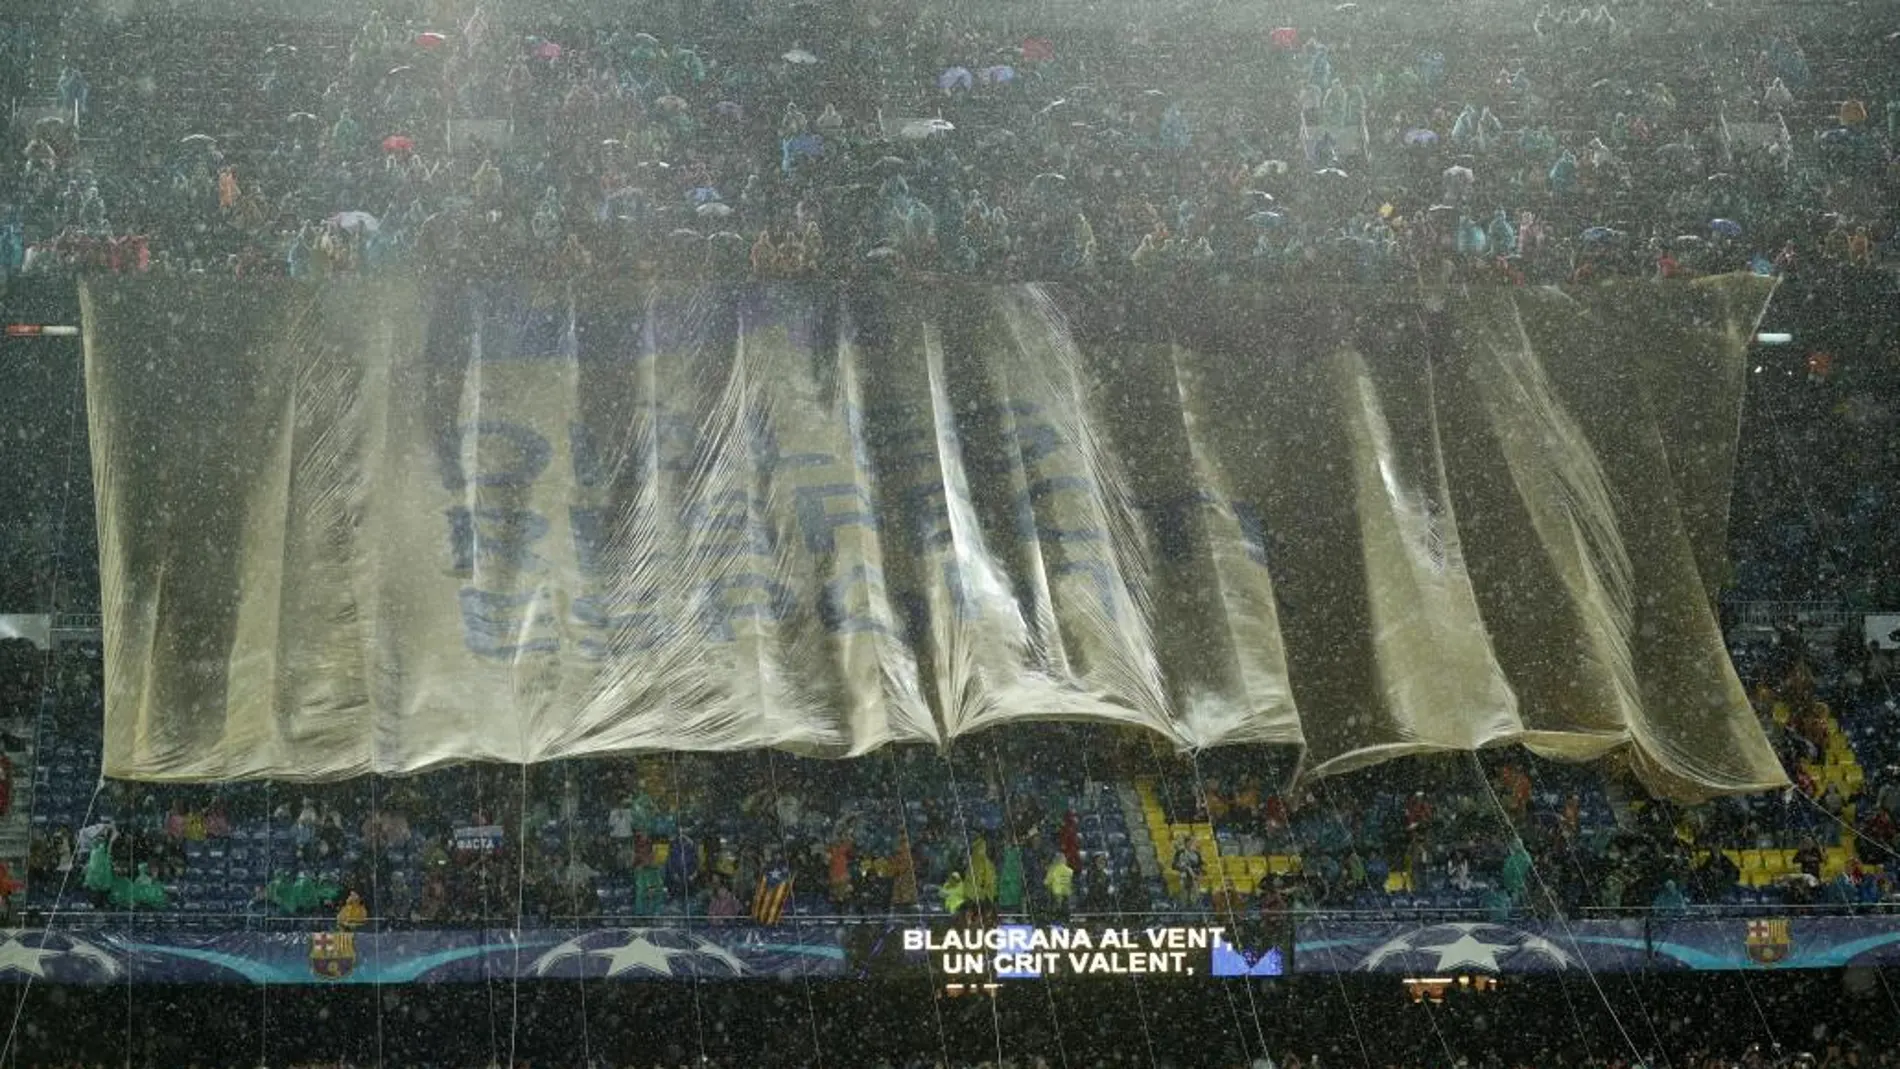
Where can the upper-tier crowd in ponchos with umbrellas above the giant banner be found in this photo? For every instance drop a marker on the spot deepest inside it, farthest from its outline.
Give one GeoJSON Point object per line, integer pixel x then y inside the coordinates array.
{"type": "Point", "coordinates": [837, 141]}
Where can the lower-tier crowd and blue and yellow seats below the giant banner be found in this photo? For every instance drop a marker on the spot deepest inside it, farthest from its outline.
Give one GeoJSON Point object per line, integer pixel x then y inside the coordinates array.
{"type": "Point", "coordinates": [1038, 821]}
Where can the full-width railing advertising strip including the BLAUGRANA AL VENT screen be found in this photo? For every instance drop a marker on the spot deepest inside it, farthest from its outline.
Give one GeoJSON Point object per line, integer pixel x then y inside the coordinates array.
{"type": "Point", "coordinates": [1014, 952]}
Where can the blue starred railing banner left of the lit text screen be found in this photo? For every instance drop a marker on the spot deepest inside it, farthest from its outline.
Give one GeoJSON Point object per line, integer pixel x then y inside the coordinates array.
{"type": "Point", "coordinates": [417, 956]}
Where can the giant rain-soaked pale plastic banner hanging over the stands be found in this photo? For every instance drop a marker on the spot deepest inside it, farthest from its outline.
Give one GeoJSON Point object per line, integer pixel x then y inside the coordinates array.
{"type": "Point", "coordinates": [375, 527]}
